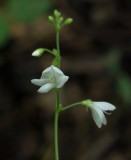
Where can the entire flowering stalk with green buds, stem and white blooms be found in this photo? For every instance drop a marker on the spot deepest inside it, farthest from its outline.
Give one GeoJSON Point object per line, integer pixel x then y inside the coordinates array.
{"type": "Point", "coordinates": [53, 78]}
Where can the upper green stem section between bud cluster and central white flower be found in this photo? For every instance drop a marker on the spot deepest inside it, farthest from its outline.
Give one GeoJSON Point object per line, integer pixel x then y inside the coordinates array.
{"type": "Point", "coordinates": [58, 47]}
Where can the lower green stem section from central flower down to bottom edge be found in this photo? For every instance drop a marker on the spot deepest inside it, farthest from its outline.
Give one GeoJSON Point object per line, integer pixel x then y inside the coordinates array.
{"type": "Point", "coordinates": [56, 126]}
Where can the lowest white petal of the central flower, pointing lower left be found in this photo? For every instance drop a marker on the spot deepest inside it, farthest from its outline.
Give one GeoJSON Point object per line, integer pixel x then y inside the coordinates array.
{"type": "Point", "coordinates": [46, 88]}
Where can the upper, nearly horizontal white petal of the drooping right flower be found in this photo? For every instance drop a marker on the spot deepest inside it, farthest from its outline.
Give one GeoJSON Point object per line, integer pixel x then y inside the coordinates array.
{"type": "Point", "coordinates": [105, 106]}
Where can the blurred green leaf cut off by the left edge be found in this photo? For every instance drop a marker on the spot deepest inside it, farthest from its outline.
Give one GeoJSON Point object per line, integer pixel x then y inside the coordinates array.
{"type": "Point", "coordinates": [4, 31]}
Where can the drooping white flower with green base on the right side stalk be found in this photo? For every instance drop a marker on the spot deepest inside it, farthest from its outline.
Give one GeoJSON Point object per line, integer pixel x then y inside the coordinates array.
{"type": "Point", "coordinates": [98, 109]}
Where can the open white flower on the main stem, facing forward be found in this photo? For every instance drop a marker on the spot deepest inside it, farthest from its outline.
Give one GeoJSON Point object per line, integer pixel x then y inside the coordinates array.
{"type": "Point", "coordinates": [52, 77]}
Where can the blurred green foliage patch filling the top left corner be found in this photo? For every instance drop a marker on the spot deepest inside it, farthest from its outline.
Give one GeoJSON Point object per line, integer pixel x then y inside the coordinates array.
{"type": "Point", "coordinates": [20, 11]}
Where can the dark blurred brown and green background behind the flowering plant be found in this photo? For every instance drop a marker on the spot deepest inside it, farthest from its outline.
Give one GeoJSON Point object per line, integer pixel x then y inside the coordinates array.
{"type": "Point", "coordinates": [96, 55]}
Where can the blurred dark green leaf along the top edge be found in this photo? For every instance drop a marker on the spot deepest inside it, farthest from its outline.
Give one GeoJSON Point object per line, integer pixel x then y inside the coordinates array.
{"type": "Point", "coordinates": [28, 10]}
